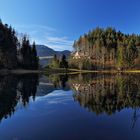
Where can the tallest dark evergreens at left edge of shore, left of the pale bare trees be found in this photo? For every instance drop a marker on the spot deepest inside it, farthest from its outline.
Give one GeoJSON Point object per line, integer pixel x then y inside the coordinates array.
{"type": "Point", "coordinates": [8, 47]}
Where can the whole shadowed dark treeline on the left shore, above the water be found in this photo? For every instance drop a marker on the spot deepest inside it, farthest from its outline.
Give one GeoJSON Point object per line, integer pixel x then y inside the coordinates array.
{"type": "Point", "coordinates": [16, 53]}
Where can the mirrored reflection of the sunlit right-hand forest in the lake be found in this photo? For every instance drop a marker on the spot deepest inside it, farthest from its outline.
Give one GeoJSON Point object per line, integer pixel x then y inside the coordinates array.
{"type": "Point", "coordinates": [107, 93]}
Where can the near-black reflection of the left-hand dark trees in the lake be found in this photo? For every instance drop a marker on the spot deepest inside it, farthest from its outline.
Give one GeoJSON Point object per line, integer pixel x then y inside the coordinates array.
{"type": "Point", "coordinates": [14, 89]}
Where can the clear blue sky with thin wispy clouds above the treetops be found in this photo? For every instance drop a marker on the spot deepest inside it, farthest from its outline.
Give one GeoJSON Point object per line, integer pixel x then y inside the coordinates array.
{"type": "Point", "coordinates": [57, 23]}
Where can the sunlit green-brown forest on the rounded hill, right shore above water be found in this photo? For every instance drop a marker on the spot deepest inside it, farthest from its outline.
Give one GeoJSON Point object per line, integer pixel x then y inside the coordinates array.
{"type": "Point", "coordinates": [106, 49]}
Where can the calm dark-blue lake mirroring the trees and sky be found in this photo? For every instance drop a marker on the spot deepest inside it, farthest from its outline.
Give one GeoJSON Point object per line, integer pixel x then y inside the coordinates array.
{"type": "Point", "coordinates": [70, 107]}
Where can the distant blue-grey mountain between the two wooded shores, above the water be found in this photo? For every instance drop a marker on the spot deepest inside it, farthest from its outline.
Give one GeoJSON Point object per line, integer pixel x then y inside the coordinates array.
{"type": "Point", "coordinates": [44, 51]}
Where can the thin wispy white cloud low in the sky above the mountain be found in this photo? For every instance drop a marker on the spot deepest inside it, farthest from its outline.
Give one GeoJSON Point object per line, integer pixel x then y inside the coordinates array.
{"type": "Point", "coordinates": [46, 35]}
